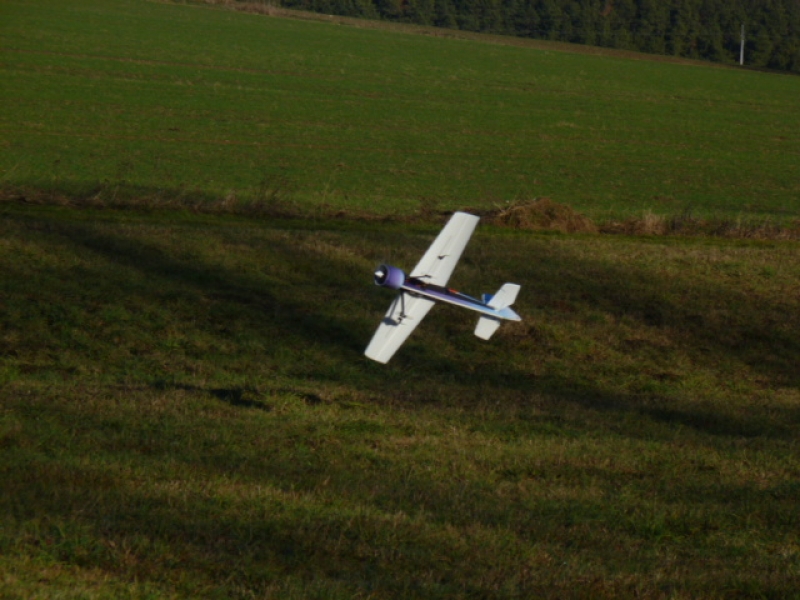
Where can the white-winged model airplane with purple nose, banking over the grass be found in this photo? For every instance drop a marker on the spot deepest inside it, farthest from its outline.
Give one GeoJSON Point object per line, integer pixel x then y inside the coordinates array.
{"type": "Point", "coordinates": [425, 286]}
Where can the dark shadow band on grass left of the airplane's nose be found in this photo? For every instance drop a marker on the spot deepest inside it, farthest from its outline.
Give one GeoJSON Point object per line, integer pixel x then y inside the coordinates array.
{"type": "Point", "coordinates": [257, 306]}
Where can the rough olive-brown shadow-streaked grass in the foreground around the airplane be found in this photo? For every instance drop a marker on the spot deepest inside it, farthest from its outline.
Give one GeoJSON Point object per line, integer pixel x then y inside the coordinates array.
{"type": "Point", "coordinates": [185, 411]}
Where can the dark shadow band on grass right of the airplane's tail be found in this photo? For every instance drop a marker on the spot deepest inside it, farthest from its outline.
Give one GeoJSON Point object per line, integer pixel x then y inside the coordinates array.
{"type": "Point", "coordinates": [721, 323]}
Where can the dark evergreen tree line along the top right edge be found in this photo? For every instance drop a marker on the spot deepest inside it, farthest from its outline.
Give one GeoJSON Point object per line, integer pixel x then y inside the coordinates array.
{"type": "Point", "coordinates": [703, 29]}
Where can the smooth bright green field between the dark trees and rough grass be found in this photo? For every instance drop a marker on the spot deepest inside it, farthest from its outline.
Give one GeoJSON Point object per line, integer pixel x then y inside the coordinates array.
{"type": "Point", "coordinates": [128, 100]}
